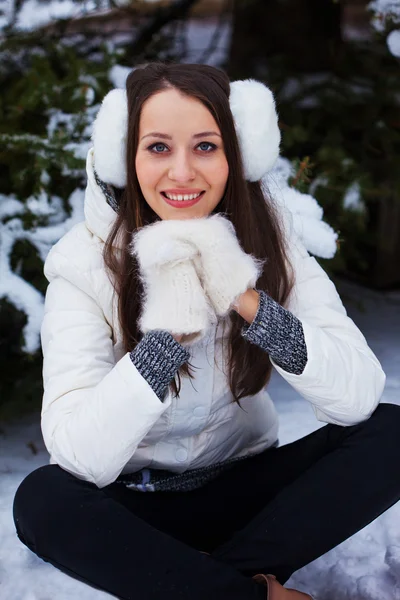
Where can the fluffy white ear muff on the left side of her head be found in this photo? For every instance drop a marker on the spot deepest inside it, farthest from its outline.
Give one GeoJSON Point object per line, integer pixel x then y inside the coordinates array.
{"type": "Point", "coordinates": [109, 138]}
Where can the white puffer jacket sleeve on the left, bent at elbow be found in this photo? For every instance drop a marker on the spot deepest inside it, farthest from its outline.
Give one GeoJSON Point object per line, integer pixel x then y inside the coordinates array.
{"type": "Point", "coordinates": [95, 410]}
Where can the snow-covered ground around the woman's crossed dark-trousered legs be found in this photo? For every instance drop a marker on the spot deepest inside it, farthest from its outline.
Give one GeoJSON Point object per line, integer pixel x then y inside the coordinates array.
{"type": "Point", "coordinates": [365, 567]}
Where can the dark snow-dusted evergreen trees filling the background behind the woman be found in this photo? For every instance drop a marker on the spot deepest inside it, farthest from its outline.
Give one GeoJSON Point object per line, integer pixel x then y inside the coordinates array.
{"type": "Point", "coordinates": [334, 67]}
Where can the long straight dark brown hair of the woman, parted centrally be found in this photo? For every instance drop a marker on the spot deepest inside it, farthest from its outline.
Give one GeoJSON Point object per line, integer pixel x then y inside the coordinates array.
{"type": "Point", "coordinates": [254, 217]}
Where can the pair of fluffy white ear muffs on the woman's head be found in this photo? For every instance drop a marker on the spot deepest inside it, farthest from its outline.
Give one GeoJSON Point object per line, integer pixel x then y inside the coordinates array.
{"type": "Point", "coordinates": [256, 123]}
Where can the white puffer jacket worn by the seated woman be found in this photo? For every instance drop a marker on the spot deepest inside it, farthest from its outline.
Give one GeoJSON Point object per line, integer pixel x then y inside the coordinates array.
{"type": "Point", "coordinates": [100, 417]}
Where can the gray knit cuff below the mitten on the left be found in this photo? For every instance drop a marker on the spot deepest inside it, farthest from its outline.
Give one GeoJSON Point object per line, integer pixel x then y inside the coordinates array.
{"type": "Point", "coordinates": [158, 357]}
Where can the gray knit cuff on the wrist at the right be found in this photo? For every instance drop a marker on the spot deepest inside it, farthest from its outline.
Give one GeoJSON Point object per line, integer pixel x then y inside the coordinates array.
{"type": "Point", "coordinates": [278, 332]}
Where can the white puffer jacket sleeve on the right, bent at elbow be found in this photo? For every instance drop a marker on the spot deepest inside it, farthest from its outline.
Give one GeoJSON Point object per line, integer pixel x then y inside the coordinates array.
{"type": "Point", "coordinates": [342, 379]}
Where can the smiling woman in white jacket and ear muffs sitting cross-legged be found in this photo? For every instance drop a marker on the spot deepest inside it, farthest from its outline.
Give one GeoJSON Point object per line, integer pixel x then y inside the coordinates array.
{"type": "Point", "coordinates": [183, 265]}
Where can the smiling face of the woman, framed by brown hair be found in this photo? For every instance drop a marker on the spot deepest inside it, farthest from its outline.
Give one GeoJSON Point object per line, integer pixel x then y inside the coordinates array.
{"type": "Point", "coordinates": [180, 155]}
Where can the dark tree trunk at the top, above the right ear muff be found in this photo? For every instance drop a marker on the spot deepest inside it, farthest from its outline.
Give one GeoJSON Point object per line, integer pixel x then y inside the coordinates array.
{"type": "Point", "coordinates": [306, 32]}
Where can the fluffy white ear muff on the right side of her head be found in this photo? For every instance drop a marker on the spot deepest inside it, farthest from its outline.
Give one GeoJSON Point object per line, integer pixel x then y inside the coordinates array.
{"type": "Point", "coordinates": [256, 122]}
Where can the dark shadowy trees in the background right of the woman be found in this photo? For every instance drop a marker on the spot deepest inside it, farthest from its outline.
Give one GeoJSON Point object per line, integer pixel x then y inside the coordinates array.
{"type": "Point", "coordinates": [338, 90]}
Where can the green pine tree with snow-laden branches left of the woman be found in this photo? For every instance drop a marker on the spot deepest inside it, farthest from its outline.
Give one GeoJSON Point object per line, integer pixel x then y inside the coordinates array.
{"type": "Point", "coordinates": [50, 96]}
